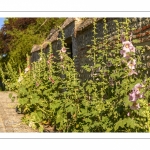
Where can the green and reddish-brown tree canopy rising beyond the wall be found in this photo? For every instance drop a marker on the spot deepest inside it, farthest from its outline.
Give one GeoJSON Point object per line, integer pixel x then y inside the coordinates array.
{"type": "Point", "coordinates": [18, 35]}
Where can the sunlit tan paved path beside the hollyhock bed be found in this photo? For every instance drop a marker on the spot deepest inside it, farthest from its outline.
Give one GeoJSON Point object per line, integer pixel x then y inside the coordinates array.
{"type": "Point", "coordinates": [10, 121]}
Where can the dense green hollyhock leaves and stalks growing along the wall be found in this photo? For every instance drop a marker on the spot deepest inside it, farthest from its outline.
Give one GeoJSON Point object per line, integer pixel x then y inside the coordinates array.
{"type": "Point", "coordinates": [51, 93]}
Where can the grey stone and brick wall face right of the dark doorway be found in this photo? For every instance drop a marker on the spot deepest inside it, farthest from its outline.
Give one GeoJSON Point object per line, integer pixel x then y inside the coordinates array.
{"type": "Point", "coordinates": [83, 38]}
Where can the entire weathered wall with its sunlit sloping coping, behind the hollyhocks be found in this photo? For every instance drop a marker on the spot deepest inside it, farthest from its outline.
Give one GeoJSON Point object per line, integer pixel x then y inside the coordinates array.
{"type": "Point", "coordinates": [78, 34]}
